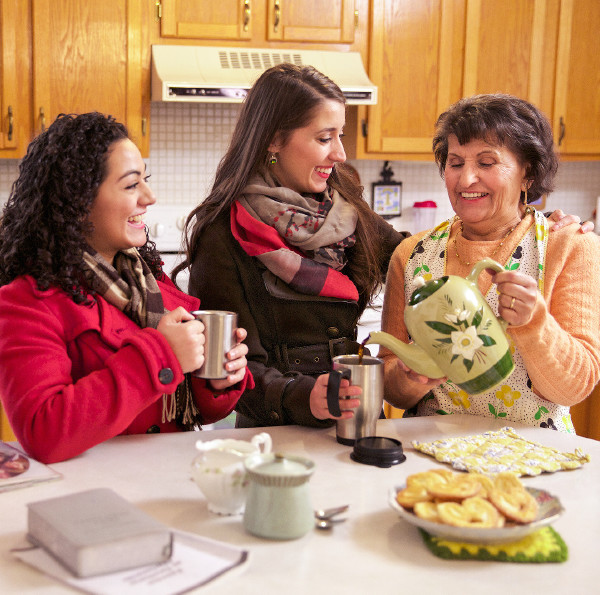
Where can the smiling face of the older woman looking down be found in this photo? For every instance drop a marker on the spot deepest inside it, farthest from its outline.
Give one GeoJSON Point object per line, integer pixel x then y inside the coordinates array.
{"type": "Point", "coordinates": [484, 183]}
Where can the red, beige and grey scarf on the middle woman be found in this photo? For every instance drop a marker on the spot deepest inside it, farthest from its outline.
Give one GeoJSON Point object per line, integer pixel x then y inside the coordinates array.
{"type": "Point", "coordinates": [301, 239]}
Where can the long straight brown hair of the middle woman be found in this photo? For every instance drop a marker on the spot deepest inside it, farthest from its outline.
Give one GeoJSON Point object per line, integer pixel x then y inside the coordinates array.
{"type": "Point", "coordinates": [282, 100]}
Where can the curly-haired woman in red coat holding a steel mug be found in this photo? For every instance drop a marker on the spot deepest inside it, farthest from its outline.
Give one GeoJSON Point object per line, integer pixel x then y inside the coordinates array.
{"type": "Point", "coordinates": [92, 335]}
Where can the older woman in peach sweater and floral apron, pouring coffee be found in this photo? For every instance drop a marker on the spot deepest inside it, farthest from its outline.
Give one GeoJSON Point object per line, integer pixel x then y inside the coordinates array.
{"type": "Point", "coordinates": [496, 154]}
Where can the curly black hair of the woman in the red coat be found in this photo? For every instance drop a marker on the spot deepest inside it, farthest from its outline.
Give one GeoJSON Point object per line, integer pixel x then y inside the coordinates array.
{"type": "Point", "coordinates": [45, 222]}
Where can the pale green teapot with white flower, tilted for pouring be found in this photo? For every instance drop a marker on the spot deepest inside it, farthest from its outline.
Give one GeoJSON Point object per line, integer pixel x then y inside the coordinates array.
{"type": "Point", "coordinates": [455, 333]}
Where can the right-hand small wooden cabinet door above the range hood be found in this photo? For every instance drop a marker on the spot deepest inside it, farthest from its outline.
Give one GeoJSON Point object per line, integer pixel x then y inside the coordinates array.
{"type": "Point", "coordinates": [319, 21]}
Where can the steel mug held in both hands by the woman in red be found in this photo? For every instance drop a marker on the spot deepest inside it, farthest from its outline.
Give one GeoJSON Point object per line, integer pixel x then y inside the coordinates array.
{"type": "Point", "coordinates": [219, 330]}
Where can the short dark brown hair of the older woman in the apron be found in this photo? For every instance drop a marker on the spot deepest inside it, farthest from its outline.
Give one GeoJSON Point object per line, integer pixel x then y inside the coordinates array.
{"type": "Point", "coordinates": [509, 121]}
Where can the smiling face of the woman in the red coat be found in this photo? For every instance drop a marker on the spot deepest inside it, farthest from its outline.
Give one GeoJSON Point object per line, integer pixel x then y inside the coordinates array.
{"type": "Point", "coordinates": [121, 202]}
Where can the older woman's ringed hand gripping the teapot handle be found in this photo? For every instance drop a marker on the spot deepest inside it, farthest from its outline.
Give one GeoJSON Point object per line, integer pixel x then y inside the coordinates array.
{"type": "Point", "coordinates": [518, 296]}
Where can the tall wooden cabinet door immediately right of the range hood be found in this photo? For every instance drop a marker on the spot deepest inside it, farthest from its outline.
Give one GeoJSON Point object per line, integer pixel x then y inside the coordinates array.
{"type": "Point", "coordinates": [416, 63]}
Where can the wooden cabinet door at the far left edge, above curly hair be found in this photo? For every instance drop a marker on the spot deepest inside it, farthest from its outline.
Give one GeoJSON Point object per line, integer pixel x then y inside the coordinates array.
{"type": "Point", "coordinates": [15, 122]}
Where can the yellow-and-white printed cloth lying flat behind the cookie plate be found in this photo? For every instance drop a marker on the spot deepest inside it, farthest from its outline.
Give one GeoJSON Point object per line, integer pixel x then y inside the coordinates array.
{"type": "Point", "coordinates": [499, 451]}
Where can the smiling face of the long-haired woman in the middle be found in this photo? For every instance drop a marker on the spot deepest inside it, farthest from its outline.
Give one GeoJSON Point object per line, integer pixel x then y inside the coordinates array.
{"type": "Point", "coordinates": [305, 160]}
